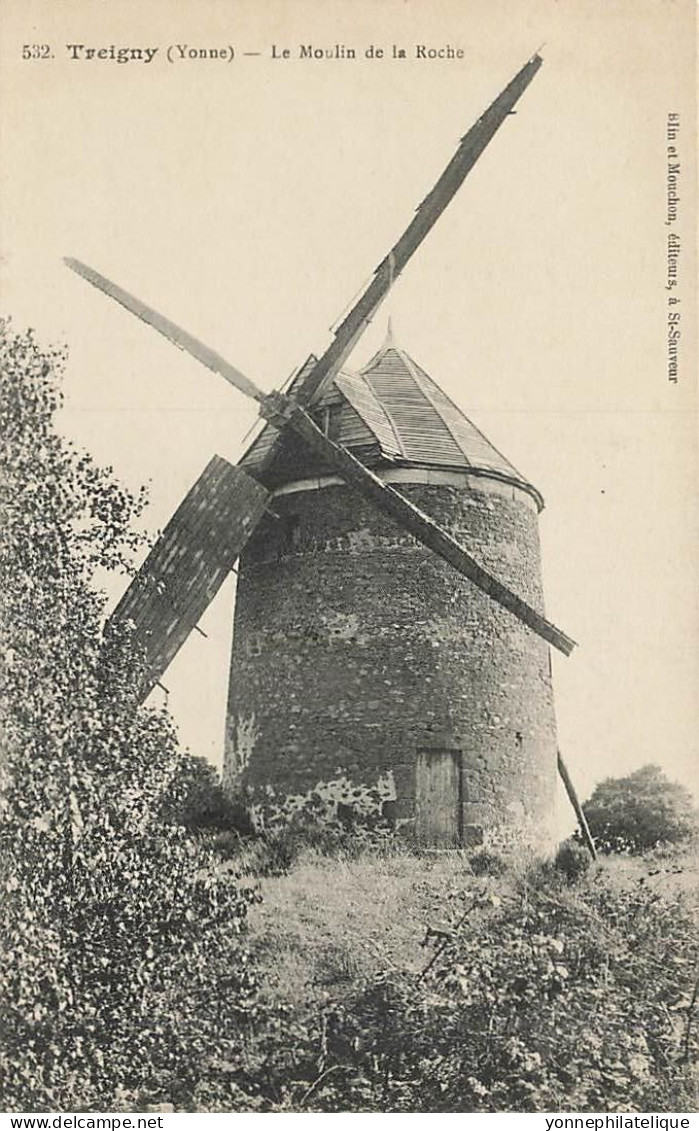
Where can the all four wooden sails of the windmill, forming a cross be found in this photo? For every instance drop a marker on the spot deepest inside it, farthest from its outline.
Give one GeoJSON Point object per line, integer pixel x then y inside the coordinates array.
{"type": "Point", "coordinates": [182, 577]}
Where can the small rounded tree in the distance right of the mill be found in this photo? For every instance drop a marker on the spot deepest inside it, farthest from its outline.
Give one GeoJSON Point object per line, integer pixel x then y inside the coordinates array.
{"type": "Point", "coordinates": [641, 811]}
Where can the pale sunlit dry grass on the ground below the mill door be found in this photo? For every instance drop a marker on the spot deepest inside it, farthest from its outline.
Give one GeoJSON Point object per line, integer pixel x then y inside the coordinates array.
{"type": "Point", "coordinates": [334, 922]}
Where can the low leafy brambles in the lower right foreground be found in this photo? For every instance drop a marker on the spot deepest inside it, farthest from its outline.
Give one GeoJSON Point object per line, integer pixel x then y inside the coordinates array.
{"type": "Point", "coordinates": [549, 999]}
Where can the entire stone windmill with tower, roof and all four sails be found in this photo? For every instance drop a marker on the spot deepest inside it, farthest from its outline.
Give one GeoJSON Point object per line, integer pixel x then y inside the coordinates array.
{"type": "Point", "coordinates": [390, 614]}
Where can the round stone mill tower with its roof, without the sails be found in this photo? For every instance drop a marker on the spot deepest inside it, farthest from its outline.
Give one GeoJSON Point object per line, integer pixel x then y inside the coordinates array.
{"type": "Point", "coordinates": [358, 651]}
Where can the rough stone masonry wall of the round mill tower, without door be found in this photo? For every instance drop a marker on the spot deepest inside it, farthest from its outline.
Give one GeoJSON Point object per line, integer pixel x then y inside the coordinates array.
{"type": "Point", "coordinates": [355, 647]}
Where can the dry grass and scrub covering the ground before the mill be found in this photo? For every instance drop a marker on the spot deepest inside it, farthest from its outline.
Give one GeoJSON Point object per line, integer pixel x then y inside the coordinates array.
{"type": "Point", "coordinates": [419, 983]}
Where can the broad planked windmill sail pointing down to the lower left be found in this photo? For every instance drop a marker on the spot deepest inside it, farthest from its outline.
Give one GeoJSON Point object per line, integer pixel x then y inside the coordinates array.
{"type": "Point", "coordinates": [189, 563]}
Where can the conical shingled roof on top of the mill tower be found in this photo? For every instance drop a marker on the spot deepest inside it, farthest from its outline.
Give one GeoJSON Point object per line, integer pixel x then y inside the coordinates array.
{"type": "Point", "coordinates": [392, 412]}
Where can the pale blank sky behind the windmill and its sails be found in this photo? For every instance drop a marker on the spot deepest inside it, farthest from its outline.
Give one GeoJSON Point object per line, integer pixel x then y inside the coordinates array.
{"type": "Point", "coordinates": [251, 198]}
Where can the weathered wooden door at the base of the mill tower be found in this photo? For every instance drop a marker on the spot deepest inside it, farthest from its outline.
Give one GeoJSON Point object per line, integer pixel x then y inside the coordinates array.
{"type": "Point", "coordinates": [438, 798]}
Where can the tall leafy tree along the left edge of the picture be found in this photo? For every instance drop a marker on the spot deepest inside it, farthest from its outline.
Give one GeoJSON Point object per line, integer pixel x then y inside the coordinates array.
{"type": "Point", "coordinates": [124, 968]}
